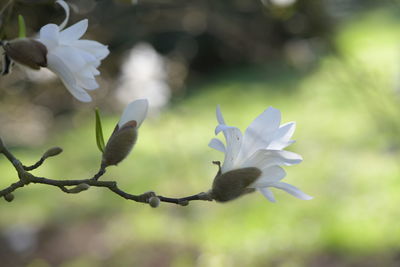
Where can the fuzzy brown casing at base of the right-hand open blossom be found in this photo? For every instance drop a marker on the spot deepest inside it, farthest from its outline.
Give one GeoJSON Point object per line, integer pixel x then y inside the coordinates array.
{"type": "Point", "coordinates": [233, 184]}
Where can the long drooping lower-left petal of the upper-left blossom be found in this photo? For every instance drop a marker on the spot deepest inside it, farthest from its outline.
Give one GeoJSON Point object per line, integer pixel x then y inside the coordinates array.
{"type": "Point", "coordinates": [57, 65]}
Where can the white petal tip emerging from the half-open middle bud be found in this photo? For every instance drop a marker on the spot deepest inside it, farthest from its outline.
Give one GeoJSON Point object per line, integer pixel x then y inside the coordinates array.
{"type": "Point", "coordinates": [136, 110]}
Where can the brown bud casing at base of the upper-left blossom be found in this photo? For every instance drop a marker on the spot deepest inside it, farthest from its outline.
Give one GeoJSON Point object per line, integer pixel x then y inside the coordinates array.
{"type": "Point", "coordinates": [28, 52]}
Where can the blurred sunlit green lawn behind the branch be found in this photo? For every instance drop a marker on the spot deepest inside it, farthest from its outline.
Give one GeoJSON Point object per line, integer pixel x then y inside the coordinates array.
{"type": "Point", "coordinates": [350, 167]}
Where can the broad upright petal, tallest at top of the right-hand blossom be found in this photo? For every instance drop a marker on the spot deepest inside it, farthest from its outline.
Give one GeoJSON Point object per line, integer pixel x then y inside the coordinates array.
{"type": "Point", "coordinates": [260, 133]}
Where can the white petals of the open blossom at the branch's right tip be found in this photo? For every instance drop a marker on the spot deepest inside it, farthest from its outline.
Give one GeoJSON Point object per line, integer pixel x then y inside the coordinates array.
{"type": "Point", "coordinates": [261, 147]}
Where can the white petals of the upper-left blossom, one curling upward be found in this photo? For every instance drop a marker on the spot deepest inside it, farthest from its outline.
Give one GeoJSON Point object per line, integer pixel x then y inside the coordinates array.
{"type": "Point", "coordinates": [75, 61]}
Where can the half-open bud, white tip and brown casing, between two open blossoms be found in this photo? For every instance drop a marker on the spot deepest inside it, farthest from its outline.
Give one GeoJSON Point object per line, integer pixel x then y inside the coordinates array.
{"type": "Point", "coordinates": [125, 134]}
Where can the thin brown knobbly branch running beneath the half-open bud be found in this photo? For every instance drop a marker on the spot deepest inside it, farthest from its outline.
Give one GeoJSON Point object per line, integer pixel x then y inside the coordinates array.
{"type": "Point", "coordinates": [80, 185]}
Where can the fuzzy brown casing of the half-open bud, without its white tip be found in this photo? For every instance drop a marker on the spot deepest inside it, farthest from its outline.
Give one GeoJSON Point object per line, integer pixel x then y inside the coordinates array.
{"type": "Point", "coordinates": [120, 144]}
